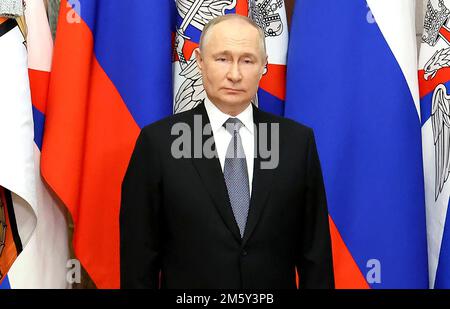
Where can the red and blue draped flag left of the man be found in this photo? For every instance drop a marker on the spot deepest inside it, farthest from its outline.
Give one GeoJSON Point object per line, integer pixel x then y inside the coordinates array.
{"type": "Point", "coordinates": [111, 75]}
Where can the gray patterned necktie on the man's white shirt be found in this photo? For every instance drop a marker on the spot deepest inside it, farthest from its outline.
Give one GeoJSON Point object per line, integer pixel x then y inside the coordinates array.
{"type": "Point", "coordinates": [236, 174]}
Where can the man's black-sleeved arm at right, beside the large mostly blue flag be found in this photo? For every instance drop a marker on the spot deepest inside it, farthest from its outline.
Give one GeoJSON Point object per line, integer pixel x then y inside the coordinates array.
{"type": "Point", "coordinates": [315, 263]}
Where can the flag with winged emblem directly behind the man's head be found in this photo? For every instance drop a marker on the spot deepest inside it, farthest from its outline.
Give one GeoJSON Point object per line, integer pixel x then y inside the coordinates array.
{"type": "Point", "coordinates": [193, 15]}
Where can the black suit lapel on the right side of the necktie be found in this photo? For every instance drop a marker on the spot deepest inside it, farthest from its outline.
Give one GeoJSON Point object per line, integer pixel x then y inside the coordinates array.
{"type": "Point", "coordinates": [262, 180]}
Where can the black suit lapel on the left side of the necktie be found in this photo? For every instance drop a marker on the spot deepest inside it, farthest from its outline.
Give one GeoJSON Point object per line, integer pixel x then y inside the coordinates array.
{"type": "Point", "coordinates": [211, 175]}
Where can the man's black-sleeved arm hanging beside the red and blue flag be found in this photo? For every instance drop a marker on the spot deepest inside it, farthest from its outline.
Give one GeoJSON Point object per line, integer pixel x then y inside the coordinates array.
{"type": "Point", "coordinates": [139, 218]}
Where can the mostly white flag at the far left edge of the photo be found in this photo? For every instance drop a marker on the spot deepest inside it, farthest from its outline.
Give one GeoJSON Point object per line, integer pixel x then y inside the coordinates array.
{"type": "Point", "coordinates": [18, 194]}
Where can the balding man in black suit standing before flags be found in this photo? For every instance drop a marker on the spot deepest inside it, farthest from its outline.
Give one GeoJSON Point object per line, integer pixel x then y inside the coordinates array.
{"type": "Point", "coordinates": [200, 210]}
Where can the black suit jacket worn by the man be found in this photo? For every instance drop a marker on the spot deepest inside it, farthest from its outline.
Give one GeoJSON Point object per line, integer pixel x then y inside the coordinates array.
{"type": "Point", "coordinates": [176, 219]}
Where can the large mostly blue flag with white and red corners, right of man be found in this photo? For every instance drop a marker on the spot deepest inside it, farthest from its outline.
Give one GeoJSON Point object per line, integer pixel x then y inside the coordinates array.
{"type": "Point", "coordinates": [352, 78]}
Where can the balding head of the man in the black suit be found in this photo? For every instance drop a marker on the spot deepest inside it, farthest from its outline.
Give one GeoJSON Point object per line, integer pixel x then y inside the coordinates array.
{"type": "Point", "coordinates": [232, 58]}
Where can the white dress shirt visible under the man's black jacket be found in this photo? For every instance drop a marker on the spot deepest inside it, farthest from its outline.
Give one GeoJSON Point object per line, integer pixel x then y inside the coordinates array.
{"type": "Point", "coordinates": [222, 137]}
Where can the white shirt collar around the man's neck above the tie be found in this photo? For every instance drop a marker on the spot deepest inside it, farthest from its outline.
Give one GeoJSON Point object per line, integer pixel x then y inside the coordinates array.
{"type": "Point", "coordinates": [217, 118]}
